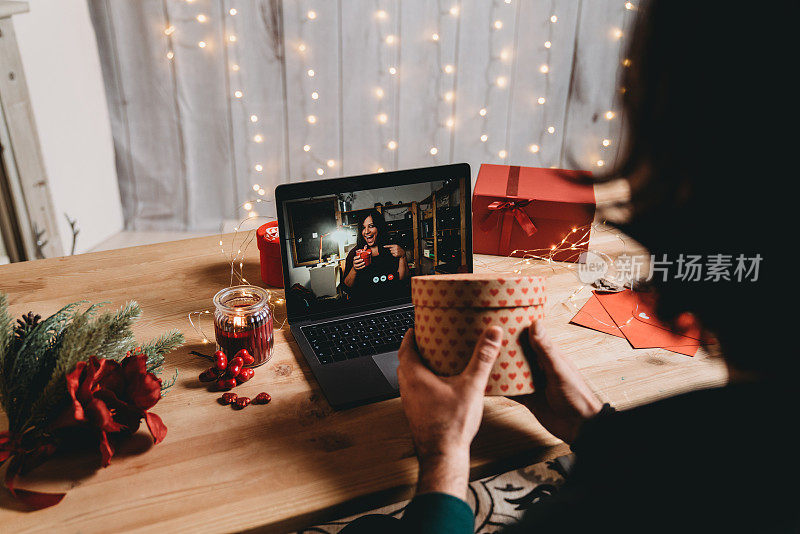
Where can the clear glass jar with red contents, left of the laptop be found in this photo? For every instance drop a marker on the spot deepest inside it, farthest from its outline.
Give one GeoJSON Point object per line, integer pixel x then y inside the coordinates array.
{"type": "Point", "coordinates": [243, 320]}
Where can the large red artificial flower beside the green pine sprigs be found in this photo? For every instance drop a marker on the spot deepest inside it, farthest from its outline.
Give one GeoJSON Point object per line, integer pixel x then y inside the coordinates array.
{"type": "Point", "coordinates": [113, 397]}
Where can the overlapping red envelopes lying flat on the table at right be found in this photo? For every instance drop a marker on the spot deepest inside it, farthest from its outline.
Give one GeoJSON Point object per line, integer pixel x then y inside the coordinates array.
{"type": "Point", "coordinates": [631, 315]}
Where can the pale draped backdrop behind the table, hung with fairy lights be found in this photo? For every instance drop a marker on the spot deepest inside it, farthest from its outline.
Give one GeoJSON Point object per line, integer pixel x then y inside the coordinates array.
{"type": "Point", "coordinates": [215, 102]}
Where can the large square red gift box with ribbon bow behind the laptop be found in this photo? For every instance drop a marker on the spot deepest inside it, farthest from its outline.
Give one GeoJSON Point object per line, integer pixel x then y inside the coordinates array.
{"type": "Point", "coordinates": [531, 209]}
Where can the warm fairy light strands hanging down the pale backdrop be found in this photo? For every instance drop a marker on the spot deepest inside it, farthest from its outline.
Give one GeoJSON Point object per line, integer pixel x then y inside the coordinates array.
{"type": "Point", "coordinates": [499, 73]}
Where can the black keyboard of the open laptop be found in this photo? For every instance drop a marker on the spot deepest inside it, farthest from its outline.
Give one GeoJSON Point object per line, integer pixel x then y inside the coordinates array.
{"type": "Point", "coordinates": [359, 337]}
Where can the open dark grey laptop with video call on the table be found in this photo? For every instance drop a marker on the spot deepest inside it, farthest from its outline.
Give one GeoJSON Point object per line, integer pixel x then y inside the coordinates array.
{"type": "Point", "coordinates": [350, 247]}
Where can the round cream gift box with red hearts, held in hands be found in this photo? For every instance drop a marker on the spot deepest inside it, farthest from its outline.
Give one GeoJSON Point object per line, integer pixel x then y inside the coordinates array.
{"type": "Point", "coordinates": [451, 312]}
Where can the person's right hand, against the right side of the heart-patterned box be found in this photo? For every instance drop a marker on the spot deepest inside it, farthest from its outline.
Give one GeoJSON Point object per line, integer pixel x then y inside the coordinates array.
{"type": "Point", "coordinates": [567, 400]}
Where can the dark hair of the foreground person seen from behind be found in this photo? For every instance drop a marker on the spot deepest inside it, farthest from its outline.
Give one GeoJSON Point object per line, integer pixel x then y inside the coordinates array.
{"type": "Point", "coordinates": [709, 165]}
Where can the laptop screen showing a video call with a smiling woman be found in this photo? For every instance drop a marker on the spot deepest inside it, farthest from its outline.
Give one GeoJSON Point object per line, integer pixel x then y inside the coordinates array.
{"type": "Point", "coordinates": [357, 247]}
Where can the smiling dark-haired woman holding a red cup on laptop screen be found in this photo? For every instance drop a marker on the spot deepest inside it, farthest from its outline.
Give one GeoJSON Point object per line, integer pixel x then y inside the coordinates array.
{"type": "Point", "coordinates": [375, 269]}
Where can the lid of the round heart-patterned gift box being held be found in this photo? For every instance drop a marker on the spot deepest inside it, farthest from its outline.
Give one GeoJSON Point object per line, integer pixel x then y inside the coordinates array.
{"type": "Point", "coordinates": [477, 291]}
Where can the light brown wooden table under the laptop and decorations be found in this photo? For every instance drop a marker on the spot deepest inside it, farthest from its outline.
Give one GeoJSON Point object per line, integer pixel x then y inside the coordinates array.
{"type": "Point", "coordinates": [294, 462]}
